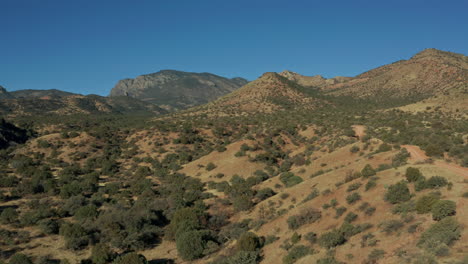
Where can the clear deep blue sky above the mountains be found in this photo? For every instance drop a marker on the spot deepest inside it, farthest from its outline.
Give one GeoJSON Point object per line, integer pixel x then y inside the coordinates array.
{"type": "Point", "coordinates": [86, 46]}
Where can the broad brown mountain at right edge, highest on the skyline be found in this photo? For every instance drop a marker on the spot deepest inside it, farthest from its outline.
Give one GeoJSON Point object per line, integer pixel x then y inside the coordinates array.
{"type": "Point", "coordinates": [425, 74]}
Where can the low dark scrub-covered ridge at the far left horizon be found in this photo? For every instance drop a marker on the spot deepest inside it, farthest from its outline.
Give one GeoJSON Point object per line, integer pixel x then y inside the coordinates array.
{"type": "Point", "coordinates": [75, 104]}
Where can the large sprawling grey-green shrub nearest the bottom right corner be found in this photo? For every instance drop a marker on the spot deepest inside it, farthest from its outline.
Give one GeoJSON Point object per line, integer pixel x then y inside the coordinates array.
{"type": "Point", "coordinates": [446, 231]}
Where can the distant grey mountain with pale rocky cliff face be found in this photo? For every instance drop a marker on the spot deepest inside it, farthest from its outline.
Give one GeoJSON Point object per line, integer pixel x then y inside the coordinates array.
{"type": "Point", "coordinates": [175, 90]}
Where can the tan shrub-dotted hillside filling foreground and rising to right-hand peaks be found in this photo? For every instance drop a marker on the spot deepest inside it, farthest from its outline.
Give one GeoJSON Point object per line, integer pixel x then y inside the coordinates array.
{"type": "Point", "coordinates": [278, 171]}
